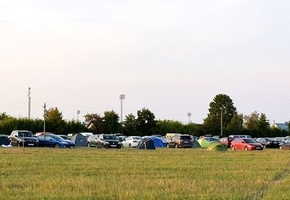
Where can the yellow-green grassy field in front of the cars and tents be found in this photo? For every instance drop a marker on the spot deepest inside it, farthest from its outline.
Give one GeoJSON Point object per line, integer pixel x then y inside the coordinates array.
{"type": "Point", "coordinates": [90, 173]}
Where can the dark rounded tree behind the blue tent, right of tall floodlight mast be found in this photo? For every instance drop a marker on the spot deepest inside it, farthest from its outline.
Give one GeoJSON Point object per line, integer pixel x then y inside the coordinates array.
{"type": "Point", "coordinates": [145, 122]}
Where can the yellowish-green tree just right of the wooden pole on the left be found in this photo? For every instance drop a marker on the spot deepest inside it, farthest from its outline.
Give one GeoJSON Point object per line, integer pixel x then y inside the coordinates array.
{"type": "Point", "coordinates": [54, 121]}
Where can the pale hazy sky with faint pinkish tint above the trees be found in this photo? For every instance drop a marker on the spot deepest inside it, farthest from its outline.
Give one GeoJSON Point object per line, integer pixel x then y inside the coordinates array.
{"type": "Point", "coordinates": [171, 57]}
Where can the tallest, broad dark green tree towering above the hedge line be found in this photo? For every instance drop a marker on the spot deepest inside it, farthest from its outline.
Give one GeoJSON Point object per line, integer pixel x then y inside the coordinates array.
{"type": "Point", "coordinates": [221, 112]}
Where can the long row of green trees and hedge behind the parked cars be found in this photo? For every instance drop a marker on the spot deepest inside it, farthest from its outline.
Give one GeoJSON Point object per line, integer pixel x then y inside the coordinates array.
{"type": "Point", "coordinates": [222, 119]}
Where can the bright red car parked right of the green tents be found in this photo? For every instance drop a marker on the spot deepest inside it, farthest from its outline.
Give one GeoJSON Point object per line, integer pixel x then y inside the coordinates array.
{"type": "Point", "coordinates": [245, 144]}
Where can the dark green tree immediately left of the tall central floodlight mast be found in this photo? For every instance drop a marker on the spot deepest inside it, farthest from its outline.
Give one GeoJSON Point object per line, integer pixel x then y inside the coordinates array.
{"type": "Point", "coordinates": [112, 124]}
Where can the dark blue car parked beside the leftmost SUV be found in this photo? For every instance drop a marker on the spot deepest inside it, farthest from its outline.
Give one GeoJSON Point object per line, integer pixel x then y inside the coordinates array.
{"type": "Point", "coordinates": [52, 140]}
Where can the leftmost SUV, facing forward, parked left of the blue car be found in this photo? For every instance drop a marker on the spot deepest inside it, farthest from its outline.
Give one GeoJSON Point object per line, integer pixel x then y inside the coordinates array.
{"type": "Point", "coordinates": [23, 138]}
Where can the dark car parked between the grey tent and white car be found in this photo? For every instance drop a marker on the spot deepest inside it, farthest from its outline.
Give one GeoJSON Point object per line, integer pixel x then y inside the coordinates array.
{"type": "Point", "coordinates": [108, 141]}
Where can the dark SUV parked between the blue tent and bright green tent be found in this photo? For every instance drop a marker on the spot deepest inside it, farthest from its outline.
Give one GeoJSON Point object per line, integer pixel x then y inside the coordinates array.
{"type": "Point", "coordinates": [180, 141]}
